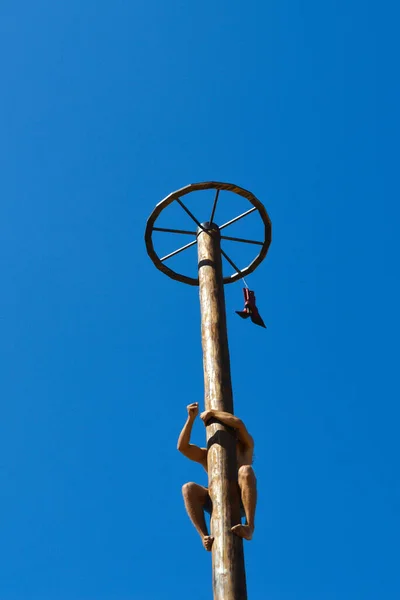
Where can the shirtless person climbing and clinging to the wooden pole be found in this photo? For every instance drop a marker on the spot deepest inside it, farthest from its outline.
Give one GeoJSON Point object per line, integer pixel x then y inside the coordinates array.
{"type": "Point", "coordinates": [196, 497]}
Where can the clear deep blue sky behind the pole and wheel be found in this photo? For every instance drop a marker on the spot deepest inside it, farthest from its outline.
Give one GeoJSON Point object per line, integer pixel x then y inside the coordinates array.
{"type": "Point", "coordinates": [105, 108]}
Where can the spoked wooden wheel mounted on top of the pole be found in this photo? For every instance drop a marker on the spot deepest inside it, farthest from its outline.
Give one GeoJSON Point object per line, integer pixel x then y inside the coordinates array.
{"type": "Point", "coordinates": [210, 226]}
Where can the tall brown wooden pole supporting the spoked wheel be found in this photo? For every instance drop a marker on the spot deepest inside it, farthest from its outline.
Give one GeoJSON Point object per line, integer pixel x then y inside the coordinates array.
{"type": "Point", "coordinates": [228, 570]}
